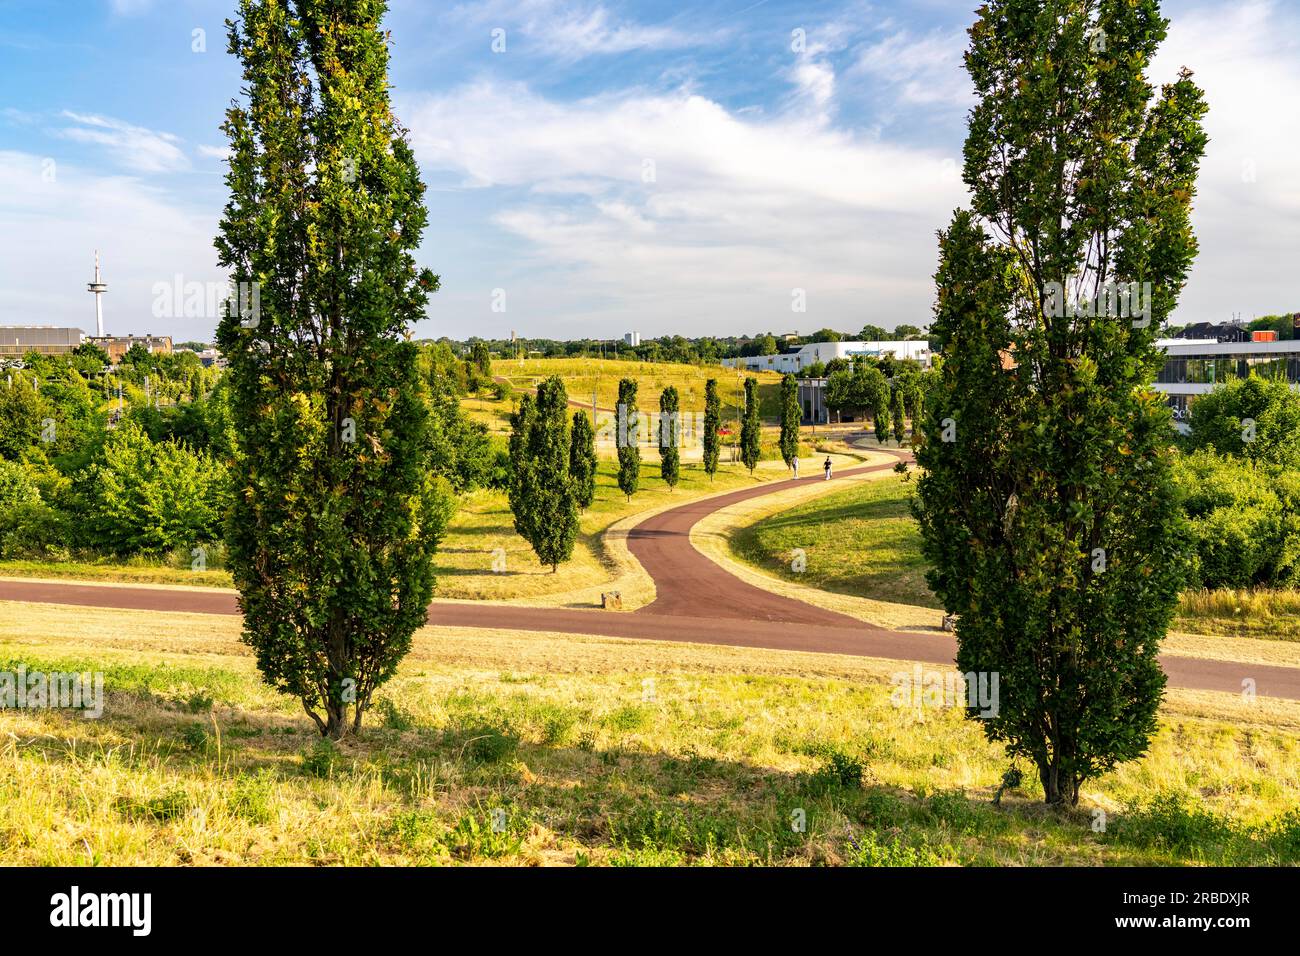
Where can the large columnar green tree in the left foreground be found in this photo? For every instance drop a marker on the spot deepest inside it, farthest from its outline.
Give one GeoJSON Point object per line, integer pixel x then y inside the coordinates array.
{"type": "Point", "coordinates": [336, 517]}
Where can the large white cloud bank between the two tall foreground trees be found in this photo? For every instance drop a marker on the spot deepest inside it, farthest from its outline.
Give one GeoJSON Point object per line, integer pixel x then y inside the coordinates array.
{"type": "Point", "coordinates": [740, 210]}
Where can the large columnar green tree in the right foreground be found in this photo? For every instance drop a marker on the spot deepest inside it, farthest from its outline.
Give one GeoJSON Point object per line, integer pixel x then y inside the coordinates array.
{"type": "Point", "coordinates": [1046, 500]}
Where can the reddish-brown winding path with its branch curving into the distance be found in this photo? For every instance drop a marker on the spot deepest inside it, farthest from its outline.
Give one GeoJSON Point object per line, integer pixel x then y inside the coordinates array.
{"type": "Point", "coordinates": [697, 602]}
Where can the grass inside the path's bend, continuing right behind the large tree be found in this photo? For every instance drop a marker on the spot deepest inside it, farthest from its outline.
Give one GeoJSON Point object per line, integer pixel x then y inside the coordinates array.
{"type": "Point", "coordinates": [863, 542]}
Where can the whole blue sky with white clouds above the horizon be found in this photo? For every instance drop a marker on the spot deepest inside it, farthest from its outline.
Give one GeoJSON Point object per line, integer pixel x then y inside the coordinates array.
{"type": "Point", "coordinates": [670, 168]}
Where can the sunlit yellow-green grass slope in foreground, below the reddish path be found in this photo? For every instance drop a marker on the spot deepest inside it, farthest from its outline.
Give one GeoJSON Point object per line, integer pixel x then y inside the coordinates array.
{"type": "Point", "coordinates": [509, 749]}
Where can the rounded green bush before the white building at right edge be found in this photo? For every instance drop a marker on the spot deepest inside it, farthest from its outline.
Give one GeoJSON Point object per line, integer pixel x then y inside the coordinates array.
{"type": "Point", "coordinates": [1256, 419]}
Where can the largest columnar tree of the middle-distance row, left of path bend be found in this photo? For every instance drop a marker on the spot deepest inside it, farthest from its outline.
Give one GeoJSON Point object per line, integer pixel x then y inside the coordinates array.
{"type": "Point", "coordinates": [553, 505]}
